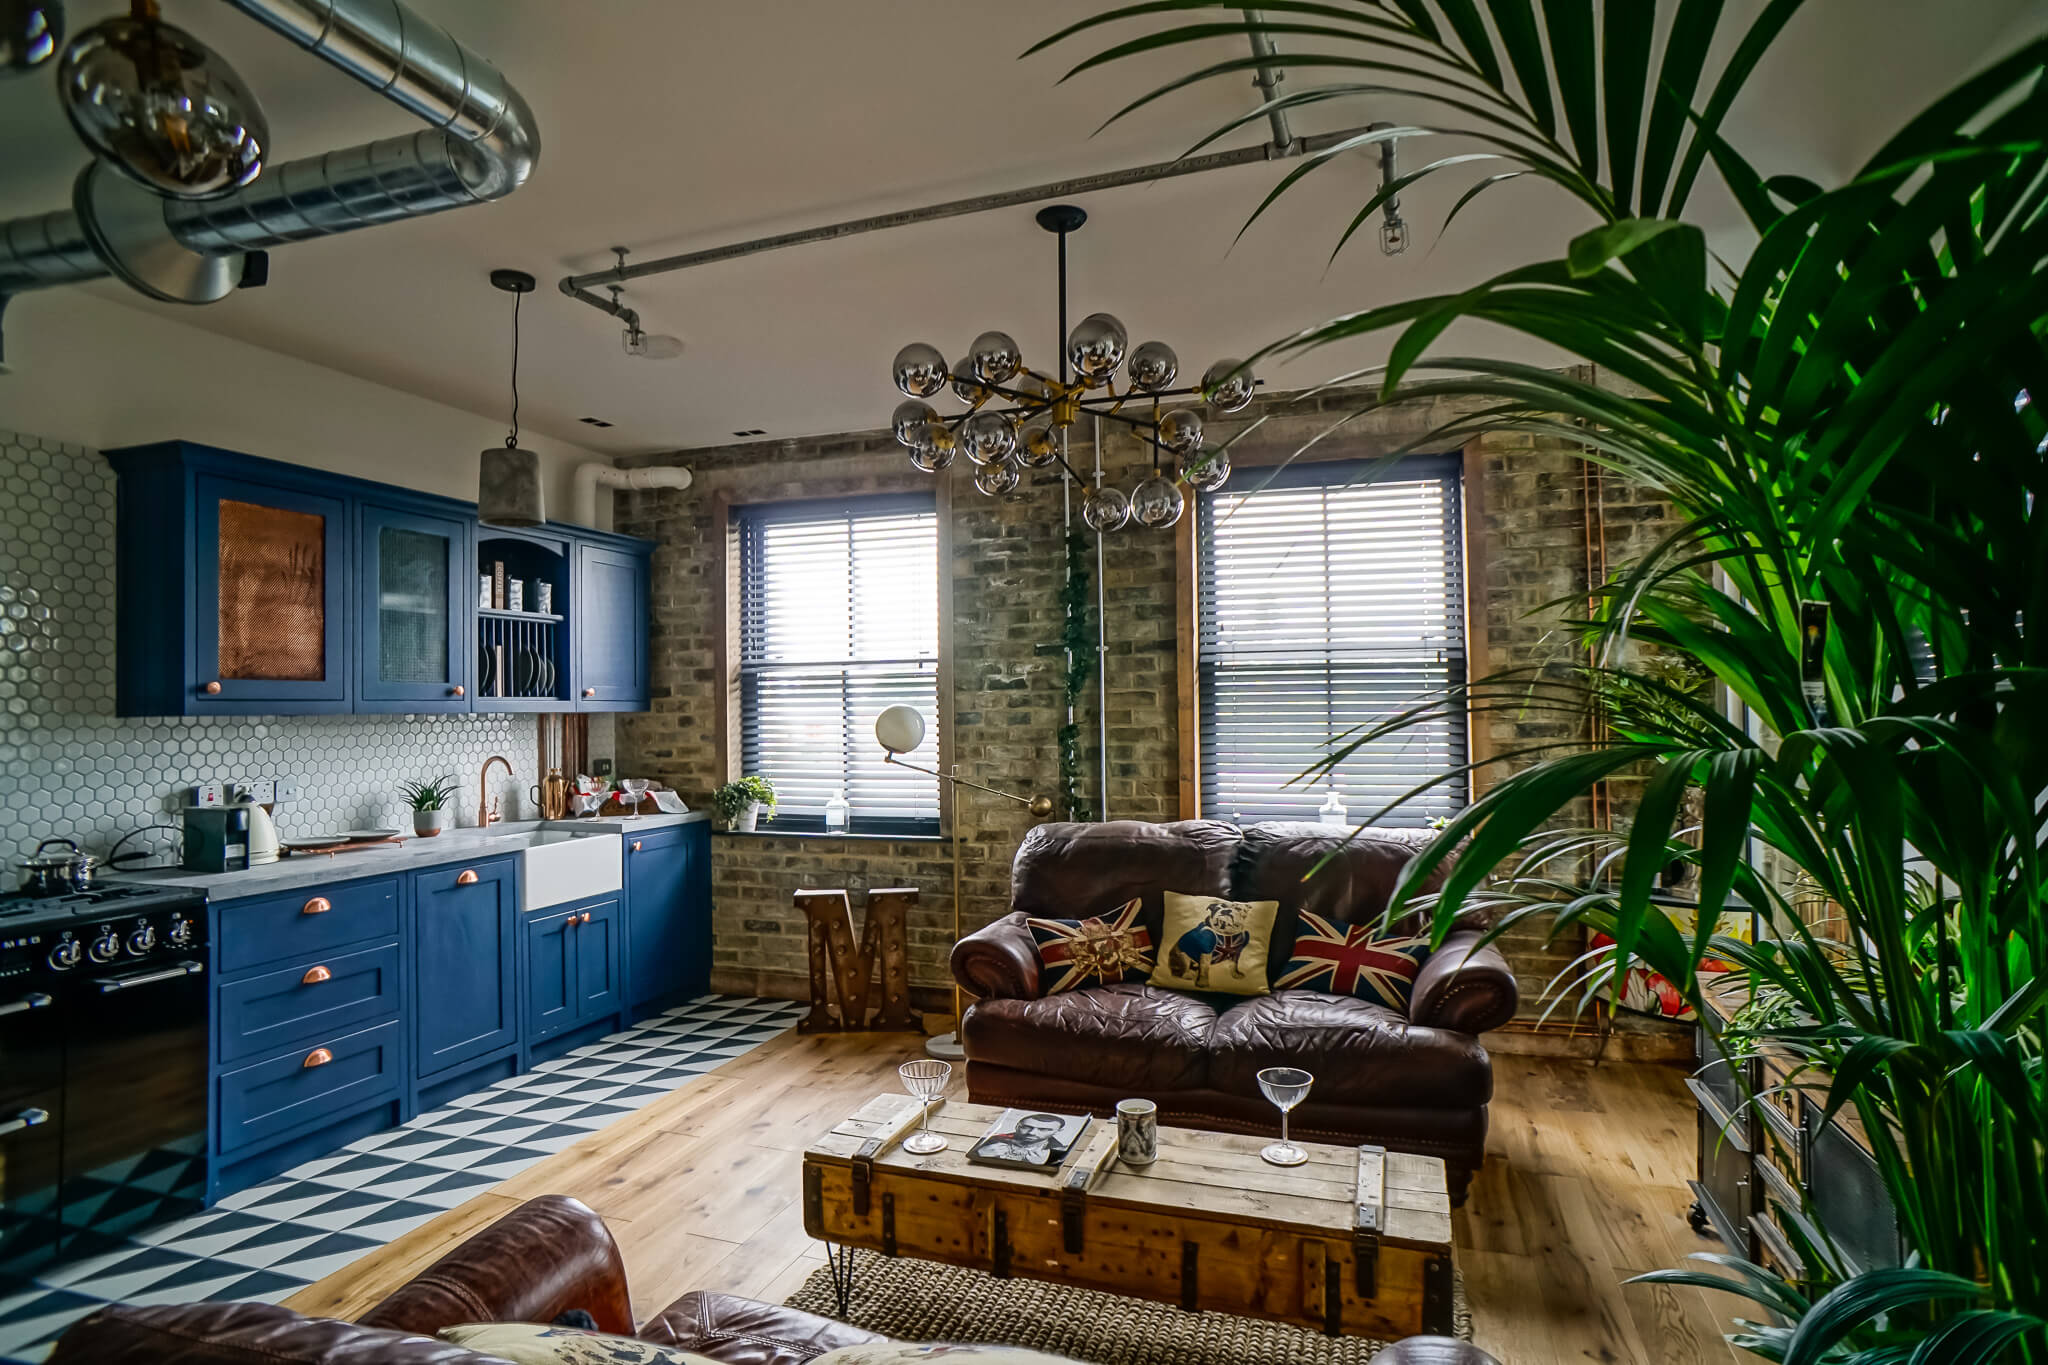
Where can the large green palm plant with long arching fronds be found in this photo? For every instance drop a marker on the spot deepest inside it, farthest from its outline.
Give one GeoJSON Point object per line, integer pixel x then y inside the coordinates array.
{"type": "Point", "coordinates": [1846, 423]}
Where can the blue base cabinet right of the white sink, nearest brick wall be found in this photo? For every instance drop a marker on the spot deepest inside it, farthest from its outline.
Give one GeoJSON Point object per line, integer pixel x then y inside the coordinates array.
{"type": "Point", "coordinates": [669, 918]}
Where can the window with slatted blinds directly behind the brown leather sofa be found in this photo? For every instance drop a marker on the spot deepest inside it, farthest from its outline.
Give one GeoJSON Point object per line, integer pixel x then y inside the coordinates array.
{"type": "Point", "coordinates": [1330, 597]}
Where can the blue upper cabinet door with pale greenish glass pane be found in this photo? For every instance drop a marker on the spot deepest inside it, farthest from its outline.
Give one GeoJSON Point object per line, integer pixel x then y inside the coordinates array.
{"type": "Point", "coordinates": [415, 654]}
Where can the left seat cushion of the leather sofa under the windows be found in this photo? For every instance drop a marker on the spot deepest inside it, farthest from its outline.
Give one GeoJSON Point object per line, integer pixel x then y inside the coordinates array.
{"type": "Point", "coordinates": [1140, 1039]}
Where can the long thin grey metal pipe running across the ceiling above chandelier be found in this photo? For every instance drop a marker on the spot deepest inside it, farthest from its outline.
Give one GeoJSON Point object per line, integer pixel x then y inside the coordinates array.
{"type": "Point", "coordinates": [1281, 148]}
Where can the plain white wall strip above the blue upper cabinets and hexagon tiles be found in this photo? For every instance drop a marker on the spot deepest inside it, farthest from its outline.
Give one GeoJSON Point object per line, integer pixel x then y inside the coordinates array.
{"type": "Point", "coordinates": [97, 373]}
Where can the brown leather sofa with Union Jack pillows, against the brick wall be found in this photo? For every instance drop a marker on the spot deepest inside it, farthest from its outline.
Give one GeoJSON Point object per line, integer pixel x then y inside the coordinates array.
{"type": "Point", "coordinates": [1414, 1084]}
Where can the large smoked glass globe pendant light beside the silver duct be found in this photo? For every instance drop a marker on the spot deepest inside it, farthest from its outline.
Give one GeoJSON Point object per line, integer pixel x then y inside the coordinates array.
{"type": "Point", "coordinates": [161, 107]}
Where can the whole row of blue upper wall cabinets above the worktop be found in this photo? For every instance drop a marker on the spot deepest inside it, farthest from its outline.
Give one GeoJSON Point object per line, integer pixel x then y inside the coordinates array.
{"type": "Point", "coordinates": [249, 586]}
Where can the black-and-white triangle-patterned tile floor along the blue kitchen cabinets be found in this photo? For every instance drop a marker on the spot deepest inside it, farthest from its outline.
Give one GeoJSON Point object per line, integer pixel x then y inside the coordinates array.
{"type": "Point", "coordinates": [273, 1239]}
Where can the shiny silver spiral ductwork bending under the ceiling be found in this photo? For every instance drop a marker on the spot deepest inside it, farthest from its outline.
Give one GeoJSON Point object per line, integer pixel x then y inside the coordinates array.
{"type": "Point", "coordinates": [482, 144]}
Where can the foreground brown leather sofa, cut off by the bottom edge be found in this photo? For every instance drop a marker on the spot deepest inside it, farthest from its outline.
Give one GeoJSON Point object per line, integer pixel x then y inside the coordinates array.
{"type": "Point", "coordinates": [536, 1264]}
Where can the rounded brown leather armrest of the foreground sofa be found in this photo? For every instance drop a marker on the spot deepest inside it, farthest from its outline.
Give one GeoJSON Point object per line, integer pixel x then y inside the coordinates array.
{"type": "Point", "coordinates": [531, 1266]}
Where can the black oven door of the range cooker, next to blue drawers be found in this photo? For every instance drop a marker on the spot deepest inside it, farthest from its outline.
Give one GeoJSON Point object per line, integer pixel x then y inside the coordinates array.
{"type": "Point", "coordinates": [134, 1102]}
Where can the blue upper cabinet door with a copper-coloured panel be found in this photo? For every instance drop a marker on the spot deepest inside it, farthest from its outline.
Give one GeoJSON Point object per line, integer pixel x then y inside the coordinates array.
{"type": "Point", "coordinates": [271, 586]}
